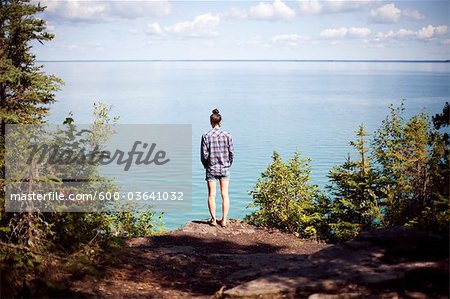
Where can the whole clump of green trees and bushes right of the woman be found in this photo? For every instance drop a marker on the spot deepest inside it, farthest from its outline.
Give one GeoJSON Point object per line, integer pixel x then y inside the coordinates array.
{"type": "Point", "coordinates": [400, 177]}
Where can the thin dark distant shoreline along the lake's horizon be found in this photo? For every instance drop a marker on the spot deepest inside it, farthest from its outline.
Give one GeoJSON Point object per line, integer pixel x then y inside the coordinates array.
{"type": "Point", "coordinates": [248, 60]}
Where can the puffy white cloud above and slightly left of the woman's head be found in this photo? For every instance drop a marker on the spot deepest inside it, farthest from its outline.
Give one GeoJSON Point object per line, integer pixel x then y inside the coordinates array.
{"type": "Point", "coordinates": [202, 26]}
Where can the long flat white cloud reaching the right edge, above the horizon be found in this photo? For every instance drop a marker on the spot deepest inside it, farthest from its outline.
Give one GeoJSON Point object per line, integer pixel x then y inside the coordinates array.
{"type": "Point", "coordinates": [424, 34]}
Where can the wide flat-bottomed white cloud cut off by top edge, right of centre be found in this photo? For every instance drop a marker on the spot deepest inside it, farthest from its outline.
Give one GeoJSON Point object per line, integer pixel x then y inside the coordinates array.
{"type": "Point", "coordinates": [332, 6]}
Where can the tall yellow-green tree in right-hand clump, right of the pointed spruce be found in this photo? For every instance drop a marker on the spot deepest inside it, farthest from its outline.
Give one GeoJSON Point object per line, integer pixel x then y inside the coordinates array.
{"type": "Point", "coordinates": [403, 153]}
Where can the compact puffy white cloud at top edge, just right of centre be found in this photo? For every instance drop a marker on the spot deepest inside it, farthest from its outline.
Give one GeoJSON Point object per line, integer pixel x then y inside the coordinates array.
{"type": "Point", "coordinates": [275, 11]}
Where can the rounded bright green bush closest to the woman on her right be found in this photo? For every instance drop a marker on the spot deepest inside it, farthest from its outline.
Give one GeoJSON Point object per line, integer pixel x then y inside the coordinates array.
{"type": "Point", "coordinates": [285, 198]}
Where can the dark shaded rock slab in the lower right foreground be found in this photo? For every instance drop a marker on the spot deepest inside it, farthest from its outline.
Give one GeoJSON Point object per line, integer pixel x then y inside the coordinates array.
{"type": "Point", "coordinates": [372, 261]}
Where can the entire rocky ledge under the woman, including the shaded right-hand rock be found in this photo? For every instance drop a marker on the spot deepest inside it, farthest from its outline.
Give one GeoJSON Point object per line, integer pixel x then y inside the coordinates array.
{"type": "Point", "coordinates": [241, 260]}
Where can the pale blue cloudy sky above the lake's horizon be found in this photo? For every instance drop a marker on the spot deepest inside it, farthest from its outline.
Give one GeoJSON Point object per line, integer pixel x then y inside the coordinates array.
{"type": "Point", "coordinates": [306, 29]}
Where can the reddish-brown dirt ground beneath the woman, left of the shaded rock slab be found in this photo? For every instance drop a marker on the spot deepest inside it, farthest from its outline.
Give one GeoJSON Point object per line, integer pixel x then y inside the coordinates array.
{"type": "Point", "coordinates": [197, 260]}
